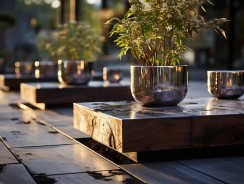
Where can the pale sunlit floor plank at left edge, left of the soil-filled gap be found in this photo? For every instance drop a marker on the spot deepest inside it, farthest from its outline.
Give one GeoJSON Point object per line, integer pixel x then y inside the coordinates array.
{"type": "Point", "coordinates": [20, 133]}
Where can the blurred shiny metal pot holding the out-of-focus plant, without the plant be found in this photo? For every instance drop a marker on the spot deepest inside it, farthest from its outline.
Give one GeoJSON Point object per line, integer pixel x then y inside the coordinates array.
{"type": "Point", "coordinates": [74, 72]}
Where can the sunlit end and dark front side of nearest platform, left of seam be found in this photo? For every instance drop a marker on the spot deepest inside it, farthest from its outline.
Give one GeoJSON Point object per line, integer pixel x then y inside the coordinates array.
{"type": "Point", "coordinates": [128, 135]}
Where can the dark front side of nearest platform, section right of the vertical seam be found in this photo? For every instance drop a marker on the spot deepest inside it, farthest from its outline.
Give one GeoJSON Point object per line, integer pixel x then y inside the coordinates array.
{"type": "Point", "coordinates": [217, 130]}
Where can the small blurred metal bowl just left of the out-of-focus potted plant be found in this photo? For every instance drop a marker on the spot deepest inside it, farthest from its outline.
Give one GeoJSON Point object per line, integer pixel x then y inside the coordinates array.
{"type": "Point", "coordinates": [46, 69]}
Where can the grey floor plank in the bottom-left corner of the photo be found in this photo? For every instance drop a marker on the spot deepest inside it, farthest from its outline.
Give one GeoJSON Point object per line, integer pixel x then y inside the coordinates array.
{"type": "Point", "coordinates": [15, 173]}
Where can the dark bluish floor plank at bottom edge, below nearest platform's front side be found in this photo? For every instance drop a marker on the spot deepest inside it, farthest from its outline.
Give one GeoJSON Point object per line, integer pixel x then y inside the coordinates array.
{"type": "Point", "coordinates": [168, 173]}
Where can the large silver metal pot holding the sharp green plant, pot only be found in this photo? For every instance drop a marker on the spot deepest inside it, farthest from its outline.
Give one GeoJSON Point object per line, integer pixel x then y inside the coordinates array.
{"type": "Point", "coordinates": [159, 85]}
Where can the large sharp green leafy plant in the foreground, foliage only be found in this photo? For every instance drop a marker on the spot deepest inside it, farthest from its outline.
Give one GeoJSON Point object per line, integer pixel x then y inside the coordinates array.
{"type": "Point", "coordinates": [156, 31]}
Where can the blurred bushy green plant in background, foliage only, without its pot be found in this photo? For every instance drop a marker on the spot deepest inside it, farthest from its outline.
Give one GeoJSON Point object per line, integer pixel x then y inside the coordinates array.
{"type": "Point", "coordinates": [75, 40]}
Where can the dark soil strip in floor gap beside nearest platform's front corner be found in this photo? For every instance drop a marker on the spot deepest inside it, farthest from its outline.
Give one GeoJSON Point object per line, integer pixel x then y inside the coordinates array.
{"type": "Point", "coordinates": [107, 152]}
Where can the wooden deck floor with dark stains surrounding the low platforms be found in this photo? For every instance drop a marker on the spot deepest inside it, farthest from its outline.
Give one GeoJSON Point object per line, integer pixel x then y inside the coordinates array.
{"type": "Point", "coordinates": [40, 147]}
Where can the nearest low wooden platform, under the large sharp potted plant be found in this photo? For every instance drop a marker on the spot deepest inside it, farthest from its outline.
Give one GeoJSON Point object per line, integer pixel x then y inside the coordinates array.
{"type": "Point", "coordinates": [194, 123]}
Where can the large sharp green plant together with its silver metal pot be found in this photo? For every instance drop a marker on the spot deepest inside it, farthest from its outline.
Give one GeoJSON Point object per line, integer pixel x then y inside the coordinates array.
{"type": "Point", "coordinates": [155, 32]}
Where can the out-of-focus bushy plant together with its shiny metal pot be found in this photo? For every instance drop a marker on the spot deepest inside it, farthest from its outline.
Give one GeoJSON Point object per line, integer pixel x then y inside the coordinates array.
{"type": "Point", "coordinates": [74, 45]}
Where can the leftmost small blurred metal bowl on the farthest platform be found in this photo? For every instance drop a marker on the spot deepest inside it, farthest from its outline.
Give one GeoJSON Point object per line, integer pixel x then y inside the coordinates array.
{"type": "Point", "coordinates": [24, 68]}
